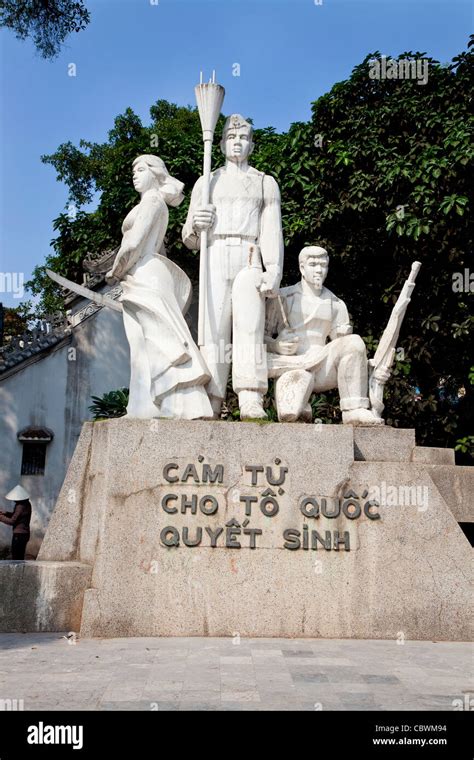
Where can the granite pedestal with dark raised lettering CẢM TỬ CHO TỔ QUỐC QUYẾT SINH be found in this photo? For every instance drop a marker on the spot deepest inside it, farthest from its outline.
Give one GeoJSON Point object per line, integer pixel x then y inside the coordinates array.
{"type": "Point", "coordinates": [248, 529]}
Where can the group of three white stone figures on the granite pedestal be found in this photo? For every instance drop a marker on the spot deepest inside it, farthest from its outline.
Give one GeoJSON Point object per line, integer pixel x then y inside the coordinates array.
{"type": "Point", "coordinates": [300, 335]}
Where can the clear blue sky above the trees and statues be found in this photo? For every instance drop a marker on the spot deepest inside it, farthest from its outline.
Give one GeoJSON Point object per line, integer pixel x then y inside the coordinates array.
{"type": "Point", "coordinates": [133, 53]}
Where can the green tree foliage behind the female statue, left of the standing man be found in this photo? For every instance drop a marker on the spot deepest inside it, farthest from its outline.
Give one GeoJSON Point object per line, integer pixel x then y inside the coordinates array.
{"type": "Point", "coordinates": [174, 134]}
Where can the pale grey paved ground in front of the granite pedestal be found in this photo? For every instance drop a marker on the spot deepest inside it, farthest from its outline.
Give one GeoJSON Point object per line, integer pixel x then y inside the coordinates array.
{"type": "Point", "coordinates": [48, 673]}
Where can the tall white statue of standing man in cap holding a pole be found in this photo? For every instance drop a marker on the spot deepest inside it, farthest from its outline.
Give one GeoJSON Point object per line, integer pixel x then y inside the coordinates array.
{"type": "Point", "coordinates": [245, 236]}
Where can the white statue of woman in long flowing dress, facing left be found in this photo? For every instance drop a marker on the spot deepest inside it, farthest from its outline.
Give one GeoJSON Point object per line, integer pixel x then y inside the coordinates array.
{"type": "Point", "coordinates": [168, 373]}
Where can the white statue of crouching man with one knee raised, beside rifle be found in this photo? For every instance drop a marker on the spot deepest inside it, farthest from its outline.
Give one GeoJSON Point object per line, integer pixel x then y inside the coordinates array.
{"type": "Point", "coordinates": [299, 323]}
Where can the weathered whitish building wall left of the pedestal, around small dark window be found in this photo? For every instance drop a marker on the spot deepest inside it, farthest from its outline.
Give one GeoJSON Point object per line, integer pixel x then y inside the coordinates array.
{"type": "Point", "coordinates": [55, 392]}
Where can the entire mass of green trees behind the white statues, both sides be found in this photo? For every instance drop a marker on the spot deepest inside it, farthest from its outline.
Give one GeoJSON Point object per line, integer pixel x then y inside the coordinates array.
{"type": "Point", "coordinates": [379, 175]}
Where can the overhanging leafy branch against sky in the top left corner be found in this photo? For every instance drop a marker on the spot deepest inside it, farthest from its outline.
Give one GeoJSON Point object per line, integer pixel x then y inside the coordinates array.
{"type": "Point", "coordinates": [47, 22]}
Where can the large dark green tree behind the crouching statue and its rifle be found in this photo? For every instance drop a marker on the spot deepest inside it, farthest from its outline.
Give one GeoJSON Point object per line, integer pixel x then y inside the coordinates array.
{"type": "Point", "coordinates": [390, 184]}
